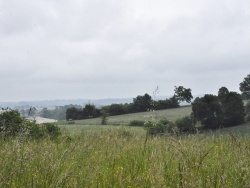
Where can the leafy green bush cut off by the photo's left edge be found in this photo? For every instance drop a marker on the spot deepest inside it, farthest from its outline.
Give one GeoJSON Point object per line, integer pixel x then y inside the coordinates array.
{"type": "Point", "coordinates": [11, 122]}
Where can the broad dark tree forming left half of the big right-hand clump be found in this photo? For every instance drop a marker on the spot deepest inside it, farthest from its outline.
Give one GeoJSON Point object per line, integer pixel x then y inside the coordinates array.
{"type": "Point", "coordinates": [207, 110]}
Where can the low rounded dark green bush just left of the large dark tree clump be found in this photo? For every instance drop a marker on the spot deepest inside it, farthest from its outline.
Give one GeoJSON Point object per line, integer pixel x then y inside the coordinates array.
{"type": "Point", "coordinates": [185, 124]}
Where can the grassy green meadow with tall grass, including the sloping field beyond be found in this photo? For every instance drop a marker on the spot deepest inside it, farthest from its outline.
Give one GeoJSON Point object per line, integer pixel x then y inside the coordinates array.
{"type": "Point", "coordinates": [120, 156]}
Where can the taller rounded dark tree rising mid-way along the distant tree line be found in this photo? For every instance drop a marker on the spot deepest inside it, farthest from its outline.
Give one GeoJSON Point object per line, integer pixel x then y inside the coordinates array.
{"type": "Point", "coordinates": [143, 103]}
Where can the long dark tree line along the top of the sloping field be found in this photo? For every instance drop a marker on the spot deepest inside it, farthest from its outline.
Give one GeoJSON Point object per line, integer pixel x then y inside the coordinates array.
{"type": "Point", "coordinates": [141, 103]}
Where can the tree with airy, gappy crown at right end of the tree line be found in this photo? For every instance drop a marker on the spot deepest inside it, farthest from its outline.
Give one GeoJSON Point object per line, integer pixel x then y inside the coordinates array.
{"type": "Point", "coordinates": [183, 94]}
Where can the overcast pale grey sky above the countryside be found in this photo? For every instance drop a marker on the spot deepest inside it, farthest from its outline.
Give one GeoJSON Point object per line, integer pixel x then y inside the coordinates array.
{"type": "Point", "coordinates": [94, 49]}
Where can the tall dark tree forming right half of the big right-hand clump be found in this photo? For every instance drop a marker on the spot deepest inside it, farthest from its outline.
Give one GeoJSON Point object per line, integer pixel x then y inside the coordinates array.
{"type": "Point", "coordinates": [232, 107]}
